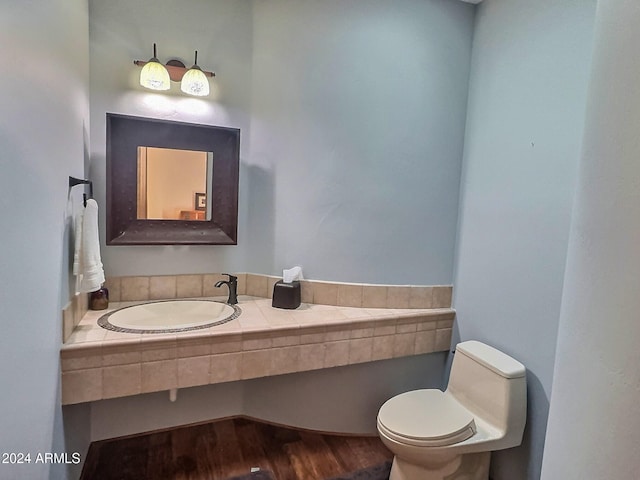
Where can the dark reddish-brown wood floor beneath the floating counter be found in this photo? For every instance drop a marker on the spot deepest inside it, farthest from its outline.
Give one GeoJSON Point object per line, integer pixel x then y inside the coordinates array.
{"type": "Point", "coordinates": [226, 448]}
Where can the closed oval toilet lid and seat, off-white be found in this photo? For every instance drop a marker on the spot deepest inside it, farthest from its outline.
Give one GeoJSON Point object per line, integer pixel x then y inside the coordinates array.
{"type": "Point", "coordinates": [425, 418]}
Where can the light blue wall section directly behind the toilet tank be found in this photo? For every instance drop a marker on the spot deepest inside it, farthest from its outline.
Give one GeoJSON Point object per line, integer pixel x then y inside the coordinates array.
{"type": "Point", "coordinates": [525, 118]}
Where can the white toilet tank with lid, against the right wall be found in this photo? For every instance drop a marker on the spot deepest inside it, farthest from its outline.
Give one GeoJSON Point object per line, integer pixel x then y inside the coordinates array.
{"type": "Point", "coordinates": [492, 385]}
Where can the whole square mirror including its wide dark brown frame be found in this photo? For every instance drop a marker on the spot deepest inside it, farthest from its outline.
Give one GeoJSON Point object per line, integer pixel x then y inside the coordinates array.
{"type": "Point", "coordinates": [171, 182]}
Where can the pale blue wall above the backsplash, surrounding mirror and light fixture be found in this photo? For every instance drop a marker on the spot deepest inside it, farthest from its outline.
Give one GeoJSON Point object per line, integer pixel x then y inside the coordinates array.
{"type": "Point", "coordinates": [352, 123]}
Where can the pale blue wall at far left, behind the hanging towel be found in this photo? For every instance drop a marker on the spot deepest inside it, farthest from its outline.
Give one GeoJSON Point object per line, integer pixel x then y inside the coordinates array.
{"type": "Point", "coordinates": [43, 127]}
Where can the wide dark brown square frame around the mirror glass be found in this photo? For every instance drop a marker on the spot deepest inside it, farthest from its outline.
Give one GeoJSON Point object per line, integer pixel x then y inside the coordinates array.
{"type": "Point", "coordinates": [124, 135]}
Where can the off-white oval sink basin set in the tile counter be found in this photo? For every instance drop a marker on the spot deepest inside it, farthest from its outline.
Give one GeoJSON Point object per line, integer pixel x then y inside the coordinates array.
{"type": "Point", "coordinates": [169, 316]}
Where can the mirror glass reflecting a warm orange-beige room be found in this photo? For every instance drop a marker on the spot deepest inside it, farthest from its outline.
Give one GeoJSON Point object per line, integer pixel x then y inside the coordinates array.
{"type": "Point", "coordinates": [172, 184]}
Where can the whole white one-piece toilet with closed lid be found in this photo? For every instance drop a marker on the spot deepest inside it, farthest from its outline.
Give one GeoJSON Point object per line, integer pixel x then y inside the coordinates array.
{"type": "Point", "coordinates": [449, 435]}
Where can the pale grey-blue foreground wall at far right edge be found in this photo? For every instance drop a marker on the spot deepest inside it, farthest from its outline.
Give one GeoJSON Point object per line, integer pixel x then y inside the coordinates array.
{"type": "Point", "coordinates": [594, 418]}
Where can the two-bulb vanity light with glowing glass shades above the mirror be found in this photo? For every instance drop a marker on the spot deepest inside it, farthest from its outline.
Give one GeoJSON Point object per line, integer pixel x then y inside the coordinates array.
{"type": "Point", "coordinates": [156, 76]}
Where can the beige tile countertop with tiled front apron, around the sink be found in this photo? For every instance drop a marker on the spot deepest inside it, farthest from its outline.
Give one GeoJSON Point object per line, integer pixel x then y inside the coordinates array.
{"type": "Point", "coordinates": [98, 363]}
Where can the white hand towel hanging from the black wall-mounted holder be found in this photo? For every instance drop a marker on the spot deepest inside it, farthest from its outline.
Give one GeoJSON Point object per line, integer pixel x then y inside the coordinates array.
{"type": "Point", "coordinates": [90, 260]}
